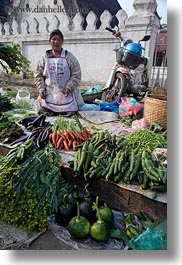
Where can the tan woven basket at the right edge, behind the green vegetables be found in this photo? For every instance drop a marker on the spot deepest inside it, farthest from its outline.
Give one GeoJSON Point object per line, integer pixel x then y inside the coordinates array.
{"type": "Point", "coordinates": [155, 109]}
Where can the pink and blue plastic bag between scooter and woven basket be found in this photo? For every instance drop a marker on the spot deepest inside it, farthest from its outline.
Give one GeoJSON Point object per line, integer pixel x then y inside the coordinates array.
{"type": "Point", "coordinates": [128, 106]}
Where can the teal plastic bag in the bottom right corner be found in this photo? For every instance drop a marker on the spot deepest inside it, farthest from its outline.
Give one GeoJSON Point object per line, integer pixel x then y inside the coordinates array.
{"type": "Point", "coordinates": [151, 239]}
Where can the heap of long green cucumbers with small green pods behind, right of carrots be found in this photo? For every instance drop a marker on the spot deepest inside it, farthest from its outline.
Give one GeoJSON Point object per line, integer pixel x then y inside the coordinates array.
{"type": "Point", "coordinates": [127, 158]}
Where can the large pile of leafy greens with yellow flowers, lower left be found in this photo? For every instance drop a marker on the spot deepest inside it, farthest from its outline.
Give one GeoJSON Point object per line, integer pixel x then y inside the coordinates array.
{"type": "Point", "coordinates": [31, 187]}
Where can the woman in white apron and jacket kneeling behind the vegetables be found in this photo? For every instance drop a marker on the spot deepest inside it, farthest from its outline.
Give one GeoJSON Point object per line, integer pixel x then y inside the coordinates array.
{"type": "Point", "coordinates": [57, 78]}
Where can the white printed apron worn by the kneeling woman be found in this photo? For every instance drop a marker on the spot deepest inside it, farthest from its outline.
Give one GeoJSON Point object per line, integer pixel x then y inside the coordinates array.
{"type": "Point", "coordinates": [57, 75]}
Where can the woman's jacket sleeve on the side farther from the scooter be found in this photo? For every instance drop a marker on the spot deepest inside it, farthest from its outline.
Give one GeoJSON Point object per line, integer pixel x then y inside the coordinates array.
{"type": "Point", "coordinates": [38, 75]}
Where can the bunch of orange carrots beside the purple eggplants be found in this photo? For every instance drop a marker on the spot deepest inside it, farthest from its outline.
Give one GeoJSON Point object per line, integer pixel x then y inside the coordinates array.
{"type": "Point", "coordinates": [69, 139]}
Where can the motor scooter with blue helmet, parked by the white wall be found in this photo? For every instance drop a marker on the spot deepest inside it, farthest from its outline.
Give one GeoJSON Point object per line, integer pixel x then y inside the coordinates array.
{"type": "Point", "coordinates": [129, 75]}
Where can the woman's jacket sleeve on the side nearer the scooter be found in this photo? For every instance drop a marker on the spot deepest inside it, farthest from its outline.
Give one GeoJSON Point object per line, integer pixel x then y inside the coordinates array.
{"type": "Point", "coordinates": [75, 72]}
